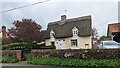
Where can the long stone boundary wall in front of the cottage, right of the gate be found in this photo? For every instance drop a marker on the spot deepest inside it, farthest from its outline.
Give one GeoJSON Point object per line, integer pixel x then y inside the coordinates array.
{"type": "Point", "coordinates": [79, 53]}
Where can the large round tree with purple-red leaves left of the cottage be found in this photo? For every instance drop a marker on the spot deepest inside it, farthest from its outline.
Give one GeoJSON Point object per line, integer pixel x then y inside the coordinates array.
{"type": "Point", "coordinates": [26, 30]}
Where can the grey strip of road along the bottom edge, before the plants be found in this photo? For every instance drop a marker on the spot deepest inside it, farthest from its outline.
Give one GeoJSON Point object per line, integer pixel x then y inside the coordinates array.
{"type": "Point", "coordinates": [31, 66]}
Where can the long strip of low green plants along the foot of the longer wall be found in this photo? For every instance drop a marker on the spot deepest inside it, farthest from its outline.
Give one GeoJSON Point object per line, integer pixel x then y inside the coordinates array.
{"type": "Point", "coordinates": [76, 62]}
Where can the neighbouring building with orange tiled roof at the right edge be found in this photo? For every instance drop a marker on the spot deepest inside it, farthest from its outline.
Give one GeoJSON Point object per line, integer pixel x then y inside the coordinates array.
{"type": "Point", "coordinates": [114, 31]}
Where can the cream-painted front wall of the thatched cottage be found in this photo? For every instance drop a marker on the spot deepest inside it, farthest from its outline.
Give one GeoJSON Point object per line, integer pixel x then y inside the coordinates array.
{"type": "Point", "coordinates": [66, 43]}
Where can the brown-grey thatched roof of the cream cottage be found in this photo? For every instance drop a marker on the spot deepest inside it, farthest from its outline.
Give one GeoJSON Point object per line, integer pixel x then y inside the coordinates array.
{"type": "Point", "coordinates": [64, 28]}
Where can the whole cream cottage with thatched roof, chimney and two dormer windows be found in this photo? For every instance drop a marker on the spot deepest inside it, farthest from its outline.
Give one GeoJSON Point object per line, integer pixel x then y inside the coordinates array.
{"type": "Point", "coordinates": [72, 33]}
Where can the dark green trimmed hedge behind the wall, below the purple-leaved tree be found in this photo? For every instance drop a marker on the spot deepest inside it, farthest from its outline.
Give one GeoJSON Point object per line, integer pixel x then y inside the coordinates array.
{"type": "Point", "coordinates": [25, 45]}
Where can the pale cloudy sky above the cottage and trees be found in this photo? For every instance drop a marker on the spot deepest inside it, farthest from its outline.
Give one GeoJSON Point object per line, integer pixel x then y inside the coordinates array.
{"type": "Point", "coordinates": [103, 12]}
